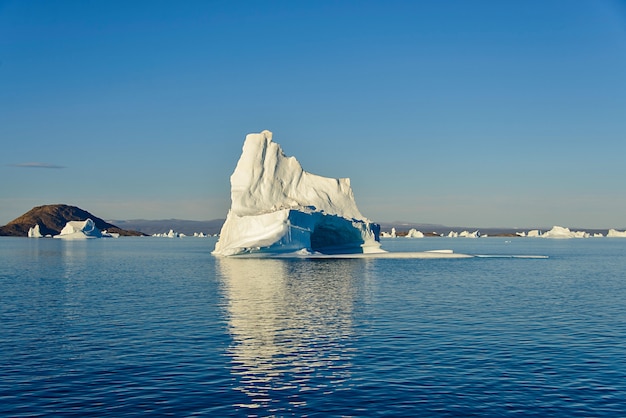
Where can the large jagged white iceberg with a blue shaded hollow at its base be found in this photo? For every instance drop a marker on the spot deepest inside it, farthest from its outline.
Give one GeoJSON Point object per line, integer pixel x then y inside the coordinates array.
{"type": "Point", "coordinates": [278, 207]}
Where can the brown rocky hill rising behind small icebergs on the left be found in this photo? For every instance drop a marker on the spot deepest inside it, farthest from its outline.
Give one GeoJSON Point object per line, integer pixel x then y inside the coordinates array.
{"type": "Point", "coordinates": [52, 219]}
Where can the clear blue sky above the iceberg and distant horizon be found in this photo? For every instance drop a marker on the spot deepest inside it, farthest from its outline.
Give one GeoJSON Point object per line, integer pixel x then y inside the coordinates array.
{"type": "Point", "coordinates": [477, 113]}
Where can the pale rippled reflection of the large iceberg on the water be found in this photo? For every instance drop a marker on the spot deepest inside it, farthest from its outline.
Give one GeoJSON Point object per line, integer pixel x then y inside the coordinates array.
{"type": "Point", "coordinates": [292, 328]}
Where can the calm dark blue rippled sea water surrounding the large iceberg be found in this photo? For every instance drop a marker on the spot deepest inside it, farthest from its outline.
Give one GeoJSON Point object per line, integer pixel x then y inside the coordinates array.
{"type": "Point", "coordinates": [146, 326]}
